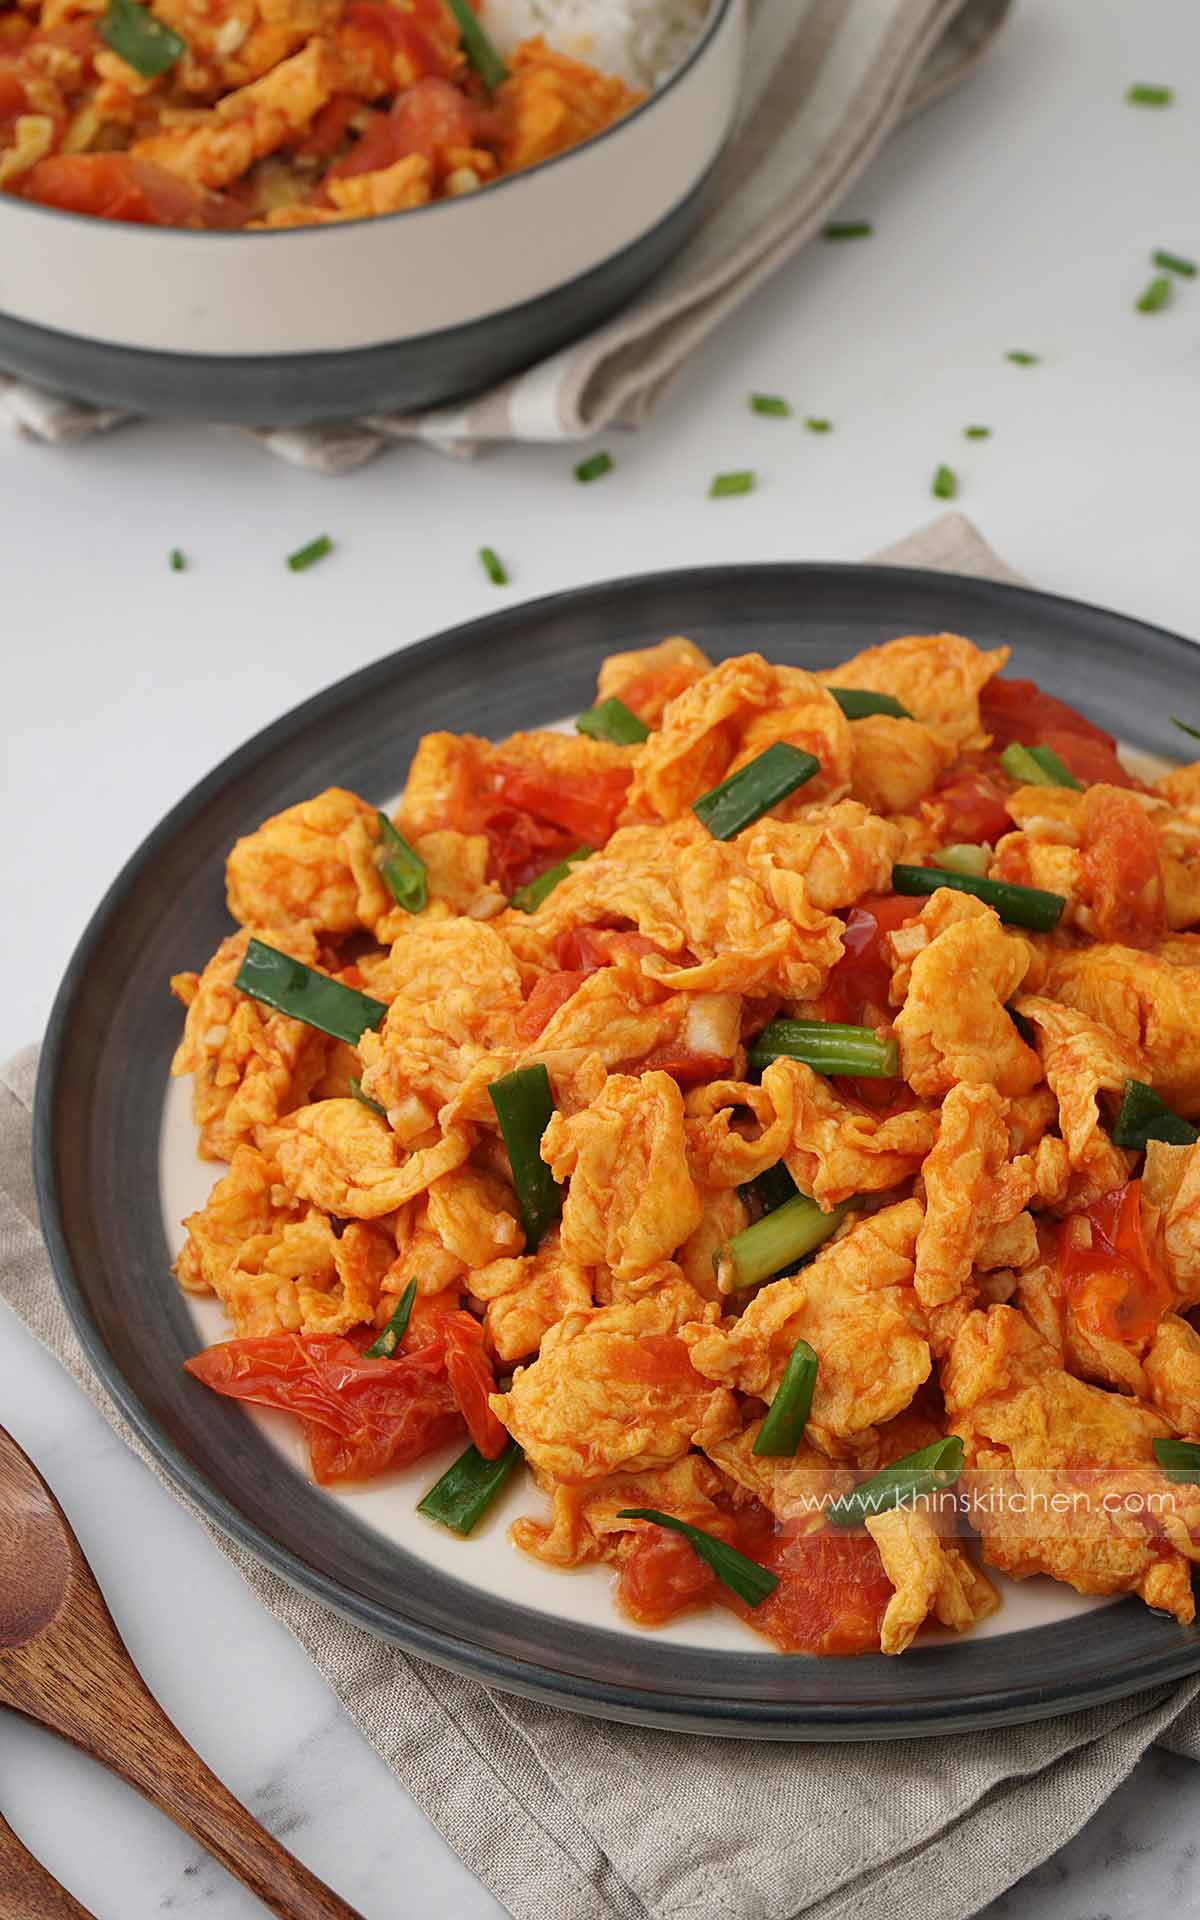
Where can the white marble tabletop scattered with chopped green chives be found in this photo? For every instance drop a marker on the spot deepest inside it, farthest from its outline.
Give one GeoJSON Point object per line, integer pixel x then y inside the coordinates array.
{"type": "Point", "coordinates": [1019, 214]}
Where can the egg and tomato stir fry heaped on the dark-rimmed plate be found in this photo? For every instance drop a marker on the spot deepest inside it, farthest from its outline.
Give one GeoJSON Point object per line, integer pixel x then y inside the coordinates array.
{"type": "Point", "coordinates": [761, 1109]}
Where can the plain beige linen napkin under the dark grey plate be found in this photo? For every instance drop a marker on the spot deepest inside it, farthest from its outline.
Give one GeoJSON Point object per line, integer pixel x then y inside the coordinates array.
{"type": "Point", "coordinates": [590, 1821]}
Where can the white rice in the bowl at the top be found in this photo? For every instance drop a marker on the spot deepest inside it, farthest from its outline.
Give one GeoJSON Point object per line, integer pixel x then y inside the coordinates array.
{"type": "Point", "coordinates": [640, 39]}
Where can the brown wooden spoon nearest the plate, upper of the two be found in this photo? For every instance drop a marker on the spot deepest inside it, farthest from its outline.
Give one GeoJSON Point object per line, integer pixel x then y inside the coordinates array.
{"type": "Point", "coordinates": [64, 1664]}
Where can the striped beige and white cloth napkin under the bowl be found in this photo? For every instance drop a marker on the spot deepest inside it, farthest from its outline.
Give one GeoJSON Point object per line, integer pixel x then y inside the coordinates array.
{"type": "Point", "coordinates": [827, 84]}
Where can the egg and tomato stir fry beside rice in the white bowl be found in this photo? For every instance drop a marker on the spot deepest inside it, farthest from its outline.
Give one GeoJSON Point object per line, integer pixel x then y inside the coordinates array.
{"type": "Point", "coordinates": [276, 112]}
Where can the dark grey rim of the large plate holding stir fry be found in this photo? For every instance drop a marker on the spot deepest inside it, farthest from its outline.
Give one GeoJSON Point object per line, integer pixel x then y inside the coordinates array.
{"type": "Point", "coordinates": [114, 1028]}
